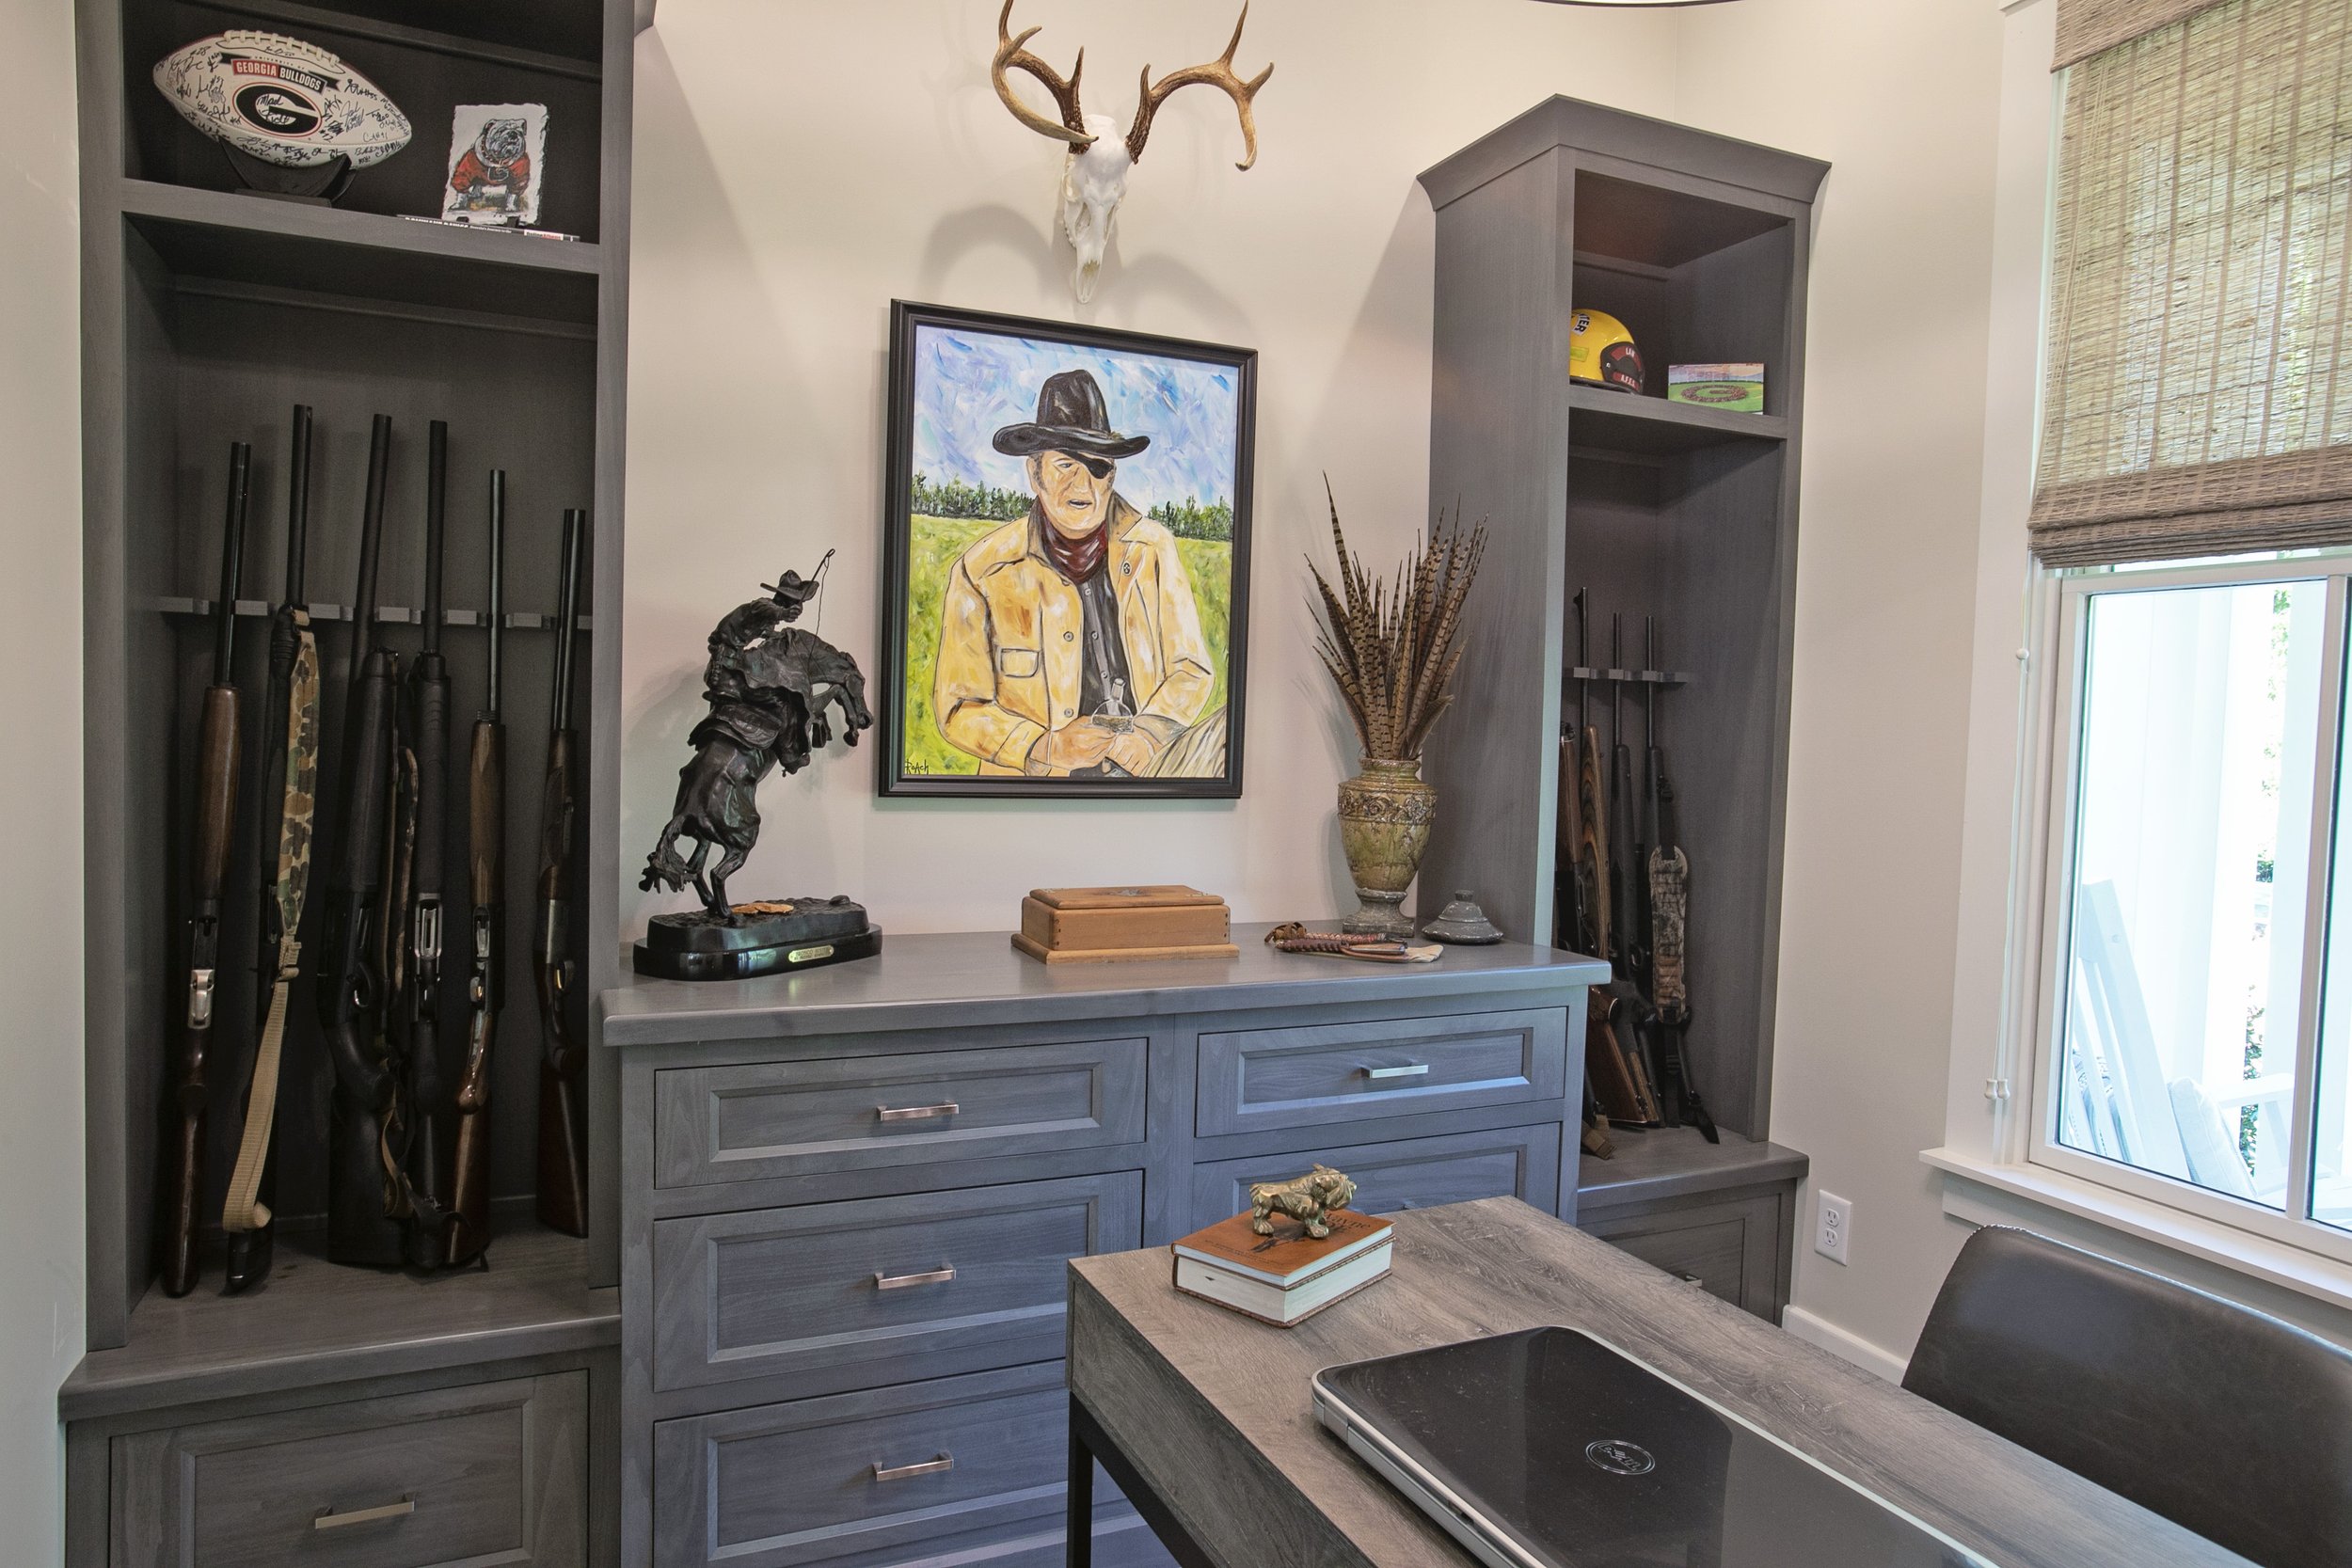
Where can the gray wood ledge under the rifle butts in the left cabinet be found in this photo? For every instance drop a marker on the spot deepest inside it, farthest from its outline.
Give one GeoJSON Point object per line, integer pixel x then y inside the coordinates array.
{"type": "Point", "coordinates": [314, 1322]}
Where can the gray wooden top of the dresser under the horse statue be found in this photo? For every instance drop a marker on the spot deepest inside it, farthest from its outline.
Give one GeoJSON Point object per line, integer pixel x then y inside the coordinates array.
{"type": "Point", "coordinates": [980, 979]}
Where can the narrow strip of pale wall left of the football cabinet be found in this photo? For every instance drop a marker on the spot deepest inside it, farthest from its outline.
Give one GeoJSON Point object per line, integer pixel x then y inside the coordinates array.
{"type": "Point", "coordinates": [41, 777]}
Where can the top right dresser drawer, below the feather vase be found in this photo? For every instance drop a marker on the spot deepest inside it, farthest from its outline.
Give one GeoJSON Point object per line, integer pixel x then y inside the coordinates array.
{"type": "Point", "coordinates": [1330, 1073]}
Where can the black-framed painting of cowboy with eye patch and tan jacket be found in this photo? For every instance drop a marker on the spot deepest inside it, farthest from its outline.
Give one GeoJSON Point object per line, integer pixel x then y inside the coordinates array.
{"type": "Point", "coordinates": [1067, 591]}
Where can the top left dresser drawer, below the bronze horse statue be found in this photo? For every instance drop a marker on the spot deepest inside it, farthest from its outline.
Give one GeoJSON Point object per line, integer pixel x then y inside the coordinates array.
{"type": "Point", "coordinates": [735, 1125]}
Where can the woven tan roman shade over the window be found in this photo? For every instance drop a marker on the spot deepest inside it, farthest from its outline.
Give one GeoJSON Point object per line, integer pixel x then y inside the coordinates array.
{"type": "Point", "coordinates": [2200, 396]}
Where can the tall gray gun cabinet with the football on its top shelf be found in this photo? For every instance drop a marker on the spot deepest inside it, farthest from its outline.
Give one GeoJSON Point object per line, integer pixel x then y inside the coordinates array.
{"type": "Point", "coordinates": [208, 314]}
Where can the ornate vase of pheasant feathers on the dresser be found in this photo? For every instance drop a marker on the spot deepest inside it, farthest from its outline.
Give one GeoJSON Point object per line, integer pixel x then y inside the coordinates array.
{"type": "Point", "coordinates": [1391, 650]}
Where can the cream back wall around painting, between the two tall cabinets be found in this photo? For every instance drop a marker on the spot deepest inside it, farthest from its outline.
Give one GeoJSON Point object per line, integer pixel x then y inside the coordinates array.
{"type": "Point", "coordinates": [801, 166]}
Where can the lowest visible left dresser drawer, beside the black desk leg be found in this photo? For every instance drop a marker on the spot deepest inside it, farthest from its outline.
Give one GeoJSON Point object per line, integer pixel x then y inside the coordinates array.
{"type": "Point", "coordinates": [813, 1482]}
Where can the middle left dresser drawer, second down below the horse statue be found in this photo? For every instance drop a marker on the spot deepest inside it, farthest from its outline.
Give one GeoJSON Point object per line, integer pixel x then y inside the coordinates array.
{"type": "Point", "coordinates": [827, 1285]}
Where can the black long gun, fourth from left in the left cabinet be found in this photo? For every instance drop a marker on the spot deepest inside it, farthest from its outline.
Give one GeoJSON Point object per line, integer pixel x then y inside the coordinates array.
{"type": "Point", "coordinates": [427, 1101]}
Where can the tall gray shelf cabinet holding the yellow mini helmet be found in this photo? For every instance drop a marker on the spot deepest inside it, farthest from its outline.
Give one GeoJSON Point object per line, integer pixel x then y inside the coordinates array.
{"type": "Point", "coordinates": [1699, 246]}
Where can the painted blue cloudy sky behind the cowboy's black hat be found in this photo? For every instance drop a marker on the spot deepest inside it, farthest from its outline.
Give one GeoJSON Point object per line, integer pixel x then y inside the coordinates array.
{"type": "Point", "coordinates": [970, 384]}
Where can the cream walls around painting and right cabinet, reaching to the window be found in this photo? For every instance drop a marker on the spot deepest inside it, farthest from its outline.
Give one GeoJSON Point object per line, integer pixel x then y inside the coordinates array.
{"type": "Point", "coordinates": [782, 206]}
